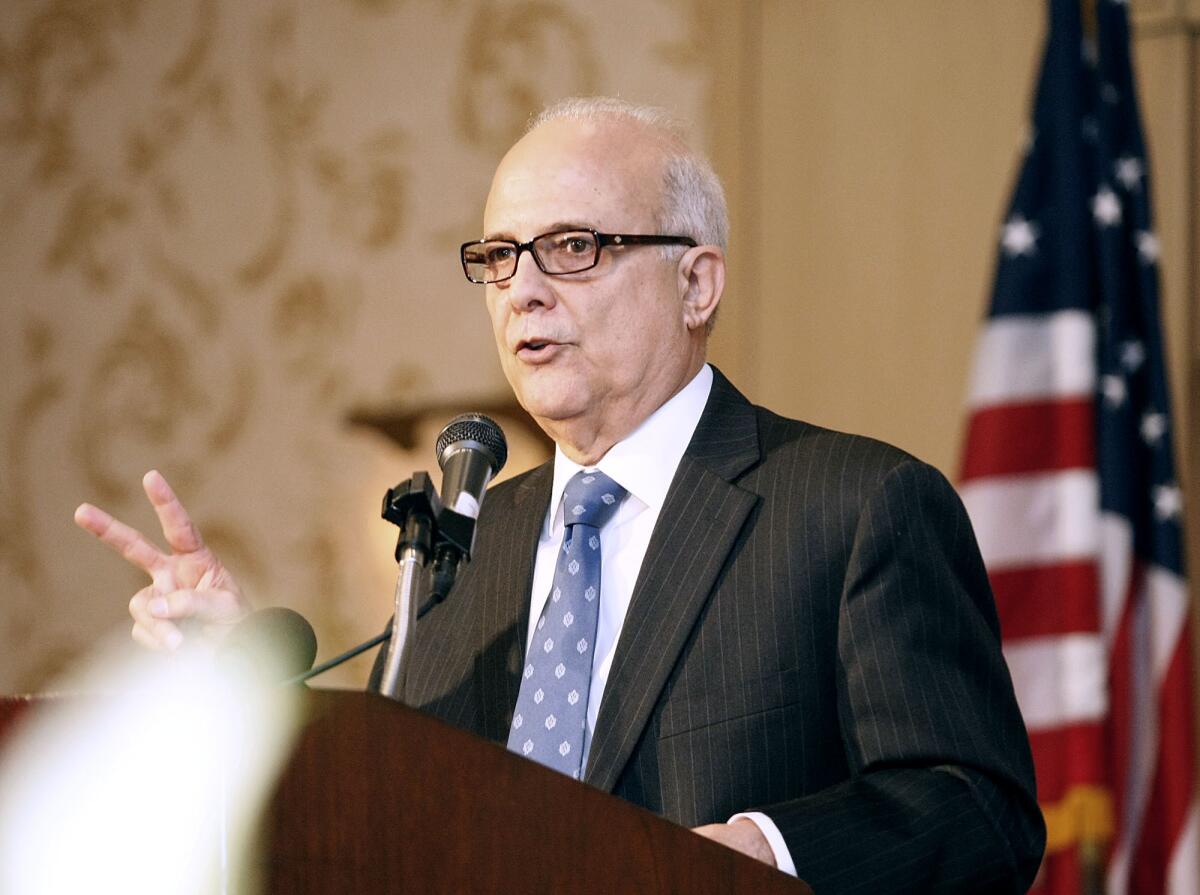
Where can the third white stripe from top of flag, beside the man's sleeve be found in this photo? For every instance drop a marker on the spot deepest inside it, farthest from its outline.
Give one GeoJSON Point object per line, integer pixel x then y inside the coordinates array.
{"type": "Point", "coordinates": [1059, 681]}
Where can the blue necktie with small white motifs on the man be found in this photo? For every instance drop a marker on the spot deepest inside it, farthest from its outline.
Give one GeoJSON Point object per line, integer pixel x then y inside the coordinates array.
{"type": "Point", "coordinates": [553, 707]}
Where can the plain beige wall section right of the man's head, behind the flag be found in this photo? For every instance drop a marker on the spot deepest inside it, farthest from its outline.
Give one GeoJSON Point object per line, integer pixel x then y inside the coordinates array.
{"type": "Point", "coordinates": [886, 141]}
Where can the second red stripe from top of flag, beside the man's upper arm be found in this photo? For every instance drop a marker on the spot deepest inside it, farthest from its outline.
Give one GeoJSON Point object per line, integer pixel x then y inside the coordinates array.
{"type": "Point", "coordinates": [1046, 600]}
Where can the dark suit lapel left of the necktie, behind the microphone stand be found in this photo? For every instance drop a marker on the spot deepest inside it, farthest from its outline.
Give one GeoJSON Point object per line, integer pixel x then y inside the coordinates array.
{"type": "Point", "coordinates": [506, 596]}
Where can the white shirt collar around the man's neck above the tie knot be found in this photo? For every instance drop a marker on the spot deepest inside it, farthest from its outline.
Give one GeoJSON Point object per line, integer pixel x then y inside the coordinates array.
{"type": "Point", "coordinates": [646, 461]}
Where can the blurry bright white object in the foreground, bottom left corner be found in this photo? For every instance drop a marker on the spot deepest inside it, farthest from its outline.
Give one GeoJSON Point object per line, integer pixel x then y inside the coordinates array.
{"type": "Point", "coordinates": [152, 783]}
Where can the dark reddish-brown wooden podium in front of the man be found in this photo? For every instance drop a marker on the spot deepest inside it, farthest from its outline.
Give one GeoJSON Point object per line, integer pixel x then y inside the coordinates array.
{"type": "Point", "coordinates": [380, 798]}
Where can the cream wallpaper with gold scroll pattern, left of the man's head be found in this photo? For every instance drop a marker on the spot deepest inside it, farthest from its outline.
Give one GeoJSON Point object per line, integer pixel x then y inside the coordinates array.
{"type": "Point", "coordinates": [229, 225]}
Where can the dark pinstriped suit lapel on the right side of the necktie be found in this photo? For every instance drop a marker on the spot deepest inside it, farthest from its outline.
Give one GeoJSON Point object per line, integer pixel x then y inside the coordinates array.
{"type": "Point", "coordinates": [700, 524]}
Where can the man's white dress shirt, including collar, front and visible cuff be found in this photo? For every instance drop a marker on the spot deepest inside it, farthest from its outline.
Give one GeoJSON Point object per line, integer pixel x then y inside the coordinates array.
{"type": "Point", "coordinates": [644, 465]}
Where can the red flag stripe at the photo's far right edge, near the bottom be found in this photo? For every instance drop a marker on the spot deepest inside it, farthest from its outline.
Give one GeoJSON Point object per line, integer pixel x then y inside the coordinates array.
{"type": "Point", "coordinates": [1172, 792]}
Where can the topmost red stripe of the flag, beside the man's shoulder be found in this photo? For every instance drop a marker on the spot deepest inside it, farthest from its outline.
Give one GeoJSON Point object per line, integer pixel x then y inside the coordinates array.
{"type": "Point", "coordinates": [1043, 436]}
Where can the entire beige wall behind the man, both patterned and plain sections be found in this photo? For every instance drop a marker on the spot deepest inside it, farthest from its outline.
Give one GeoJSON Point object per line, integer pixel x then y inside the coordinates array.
{"type": "Point", "coordinates": [227, 226]}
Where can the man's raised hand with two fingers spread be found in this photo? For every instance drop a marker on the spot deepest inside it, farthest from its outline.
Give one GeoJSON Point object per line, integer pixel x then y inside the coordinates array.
{"type": "Point", "coordinates": [190, 584]}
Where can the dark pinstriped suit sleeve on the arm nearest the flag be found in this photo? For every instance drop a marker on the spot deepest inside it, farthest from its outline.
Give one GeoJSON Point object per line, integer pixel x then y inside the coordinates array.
{"type": "Point", "coordinates": [941, 796]}
